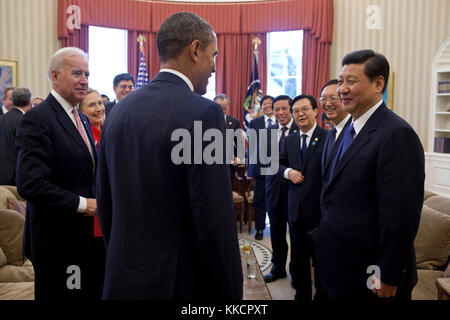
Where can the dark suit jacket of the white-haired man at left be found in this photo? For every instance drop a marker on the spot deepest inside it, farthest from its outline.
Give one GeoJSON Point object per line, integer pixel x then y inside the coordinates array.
{"type": "Point", "coordinates": [54, 168]}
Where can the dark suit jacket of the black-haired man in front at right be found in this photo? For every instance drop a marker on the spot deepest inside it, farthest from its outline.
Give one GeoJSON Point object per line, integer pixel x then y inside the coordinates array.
{"type": "Point", "coordinates": [371, 208]}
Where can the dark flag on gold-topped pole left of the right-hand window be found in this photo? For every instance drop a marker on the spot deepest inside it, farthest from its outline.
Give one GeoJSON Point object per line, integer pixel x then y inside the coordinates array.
{"type": "Point", "coordinates": [254, 92]}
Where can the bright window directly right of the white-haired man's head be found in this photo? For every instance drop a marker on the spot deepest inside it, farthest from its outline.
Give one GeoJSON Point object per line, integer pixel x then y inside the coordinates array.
{"type": "Point", "coordinates": [108, 49]}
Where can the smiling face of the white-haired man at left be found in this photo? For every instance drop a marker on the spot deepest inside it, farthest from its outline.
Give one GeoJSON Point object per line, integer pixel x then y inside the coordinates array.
{"type": "Point", "coordinates": [72, 81]}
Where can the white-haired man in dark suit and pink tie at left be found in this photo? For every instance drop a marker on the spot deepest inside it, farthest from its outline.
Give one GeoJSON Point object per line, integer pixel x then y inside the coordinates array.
{"type": "Point", "coordinates": [55, 174]}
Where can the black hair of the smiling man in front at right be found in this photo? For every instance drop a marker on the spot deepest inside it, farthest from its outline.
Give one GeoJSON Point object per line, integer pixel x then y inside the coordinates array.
{"type": "Point", "coordinates": [375, 64]}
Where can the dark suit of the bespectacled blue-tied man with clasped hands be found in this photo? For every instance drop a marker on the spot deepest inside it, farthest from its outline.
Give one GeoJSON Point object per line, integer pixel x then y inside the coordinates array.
{"type": "Point", "coordinates": [303, 207]}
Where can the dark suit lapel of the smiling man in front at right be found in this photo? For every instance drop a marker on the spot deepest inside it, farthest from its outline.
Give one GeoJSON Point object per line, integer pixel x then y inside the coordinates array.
{"type": "Point", "coordinates": [360, 141]}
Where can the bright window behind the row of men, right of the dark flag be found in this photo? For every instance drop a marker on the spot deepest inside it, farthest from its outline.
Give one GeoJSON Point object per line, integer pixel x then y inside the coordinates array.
{"type": "Point", "coordinates": [284, 63]}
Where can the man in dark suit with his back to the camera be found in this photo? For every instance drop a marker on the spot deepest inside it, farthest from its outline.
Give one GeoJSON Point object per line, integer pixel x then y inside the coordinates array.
{"type": "Point", "coordinates": [167, 216]}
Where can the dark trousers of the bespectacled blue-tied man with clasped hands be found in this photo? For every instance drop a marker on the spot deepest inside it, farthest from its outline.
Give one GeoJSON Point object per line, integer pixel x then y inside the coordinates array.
{"type": "Point", "coordinates": [303, 250]}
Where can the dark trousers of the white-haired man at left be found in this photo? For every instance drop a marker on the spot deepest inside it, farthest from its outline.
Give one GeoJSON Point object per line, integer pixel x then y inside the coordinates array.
{"type": "Point", "coordinates": [74, 280]}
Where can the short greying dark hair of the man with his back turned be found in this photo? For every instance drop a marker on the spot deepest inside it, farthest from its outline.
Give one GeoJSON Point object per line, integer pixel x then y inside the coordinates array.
{"type": "Point", "coordinates": [179, 31]}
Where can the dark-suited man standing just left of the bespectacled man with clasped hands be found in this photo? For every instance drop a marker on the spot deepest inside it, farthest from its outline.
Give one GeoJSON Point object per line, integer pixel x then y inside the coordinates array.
{"type": "Point", "coordinates": [277, 189]}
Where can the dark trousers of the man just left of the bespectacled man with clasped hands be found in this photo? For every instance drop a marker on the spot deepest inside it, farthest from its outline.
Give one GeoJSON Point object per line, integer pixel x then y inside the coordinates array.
{"type": "Point", "coordinates": [278, 222]}
